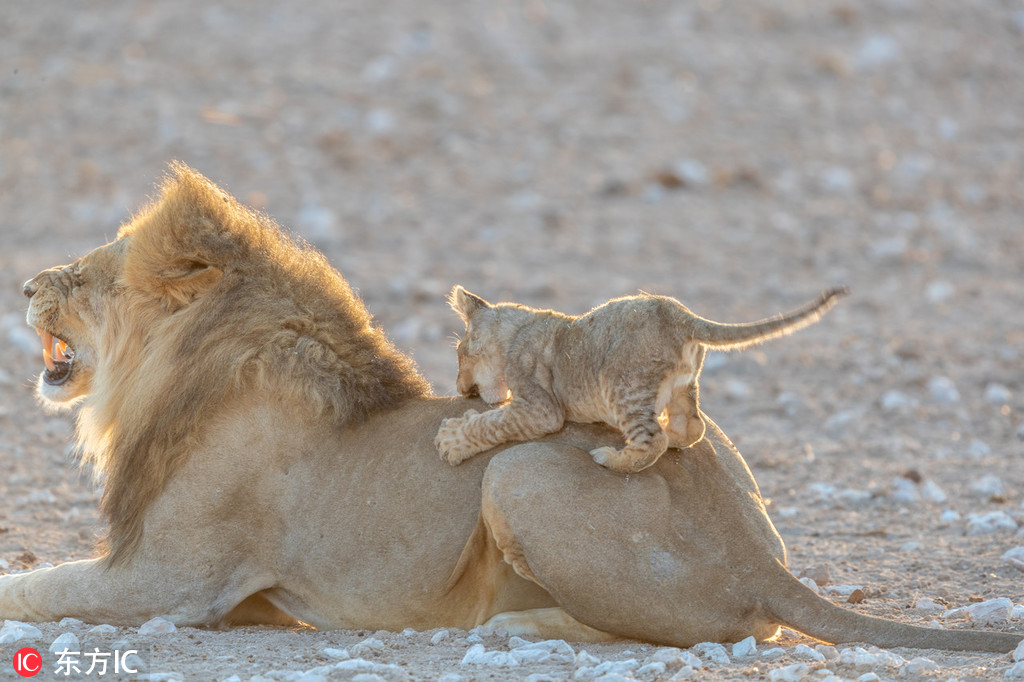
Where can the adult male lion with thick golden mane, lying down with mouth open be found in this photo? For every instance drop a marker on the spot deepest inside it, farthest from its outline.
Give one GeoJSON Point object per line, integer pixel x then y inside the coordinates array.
{"type": "Point", "coordinates": [269, 457]}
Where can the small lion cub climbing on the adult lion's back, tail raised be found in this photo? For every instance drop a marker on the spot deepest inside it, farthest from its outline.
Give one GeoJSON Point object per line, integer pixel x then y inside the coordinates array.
{"type": "Point", "coordinates": [632, 363]}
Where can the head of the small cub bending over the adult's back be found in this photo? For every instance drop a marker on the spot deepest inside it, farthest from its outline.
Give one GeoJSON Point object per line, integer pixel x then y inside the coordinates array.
{"type": "Point", "coordinates": [481, 351]}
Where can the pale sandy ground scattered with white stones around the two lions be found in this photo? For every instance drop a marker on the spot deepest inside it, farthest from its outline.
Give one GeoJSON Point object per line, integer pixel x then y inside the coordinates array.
{"type": "Point", "coordinates": [740, 156]}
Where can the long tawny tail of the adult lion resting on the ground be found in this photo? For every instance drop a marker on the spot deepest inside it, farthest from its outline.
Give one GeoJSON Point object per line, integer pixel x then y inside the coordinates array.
{"type": "Point", "coordinates": [797, 607]}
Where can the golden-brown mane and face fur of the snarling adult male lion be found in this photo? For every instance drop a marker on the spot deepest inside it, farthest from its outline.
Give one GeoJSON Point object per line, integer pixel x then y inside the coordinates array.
{"type": "Point", "coordinates": [198, 300]}
